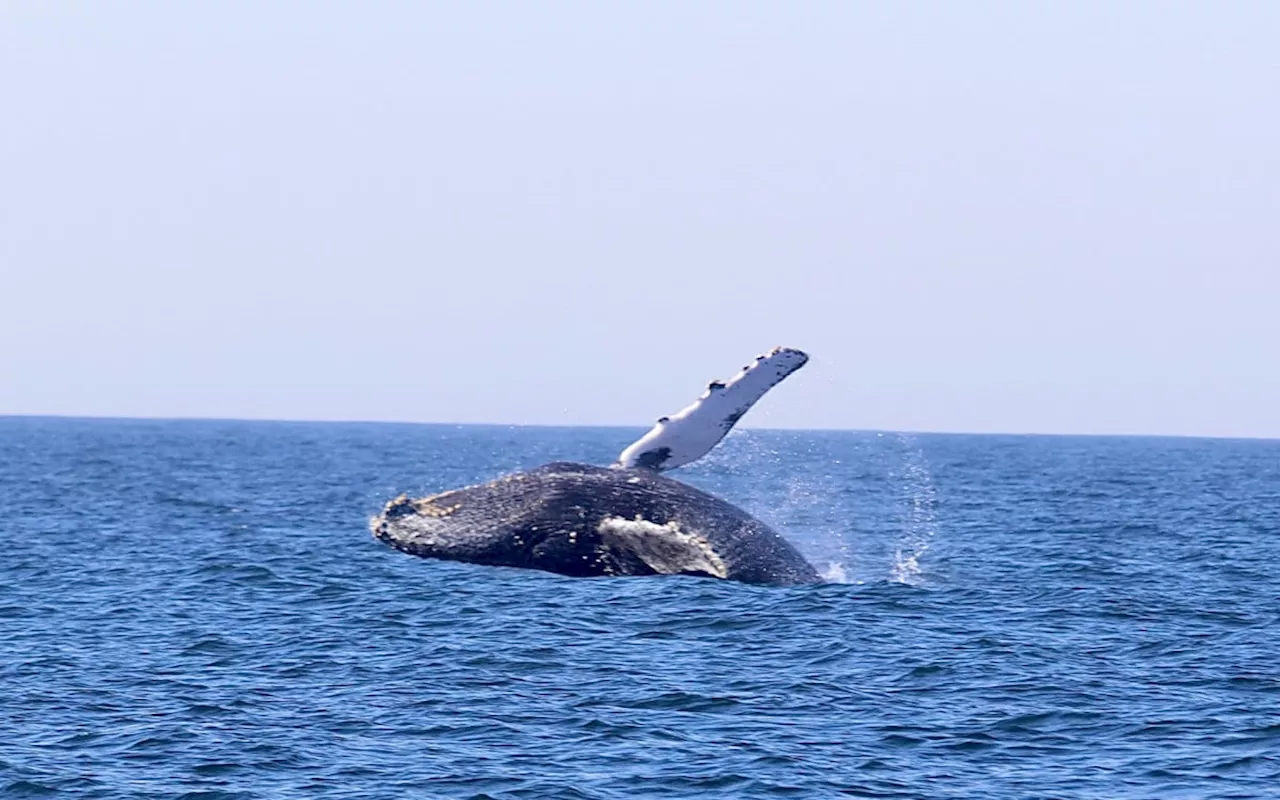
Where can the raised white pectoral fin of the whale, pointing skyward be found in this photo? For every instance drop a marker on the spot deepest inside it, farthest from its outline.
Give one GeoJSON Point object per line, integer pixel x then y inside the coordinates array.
{"type": "Point", "coordinates": [691, 435]}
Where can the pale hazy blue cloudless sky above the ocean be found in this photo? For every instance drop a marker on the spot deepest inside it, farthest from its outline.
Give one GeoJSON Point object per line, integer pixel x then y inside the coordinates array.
{"type": "Point", "coordinates": [976, 217]}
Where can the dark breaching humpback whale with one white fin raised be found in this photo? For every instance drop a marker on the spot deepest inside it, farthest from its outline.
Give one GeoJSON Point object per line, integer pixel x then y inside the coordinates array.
{"type": "Point", "coordinates": [583, 520]}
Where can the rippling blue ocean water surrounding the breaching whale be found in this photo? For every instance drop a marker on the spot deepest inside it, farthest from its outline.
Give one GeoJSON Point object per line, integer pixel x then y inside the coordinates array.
{"type": "Point", "coordinates": [196, 610]}
